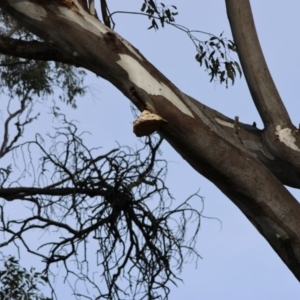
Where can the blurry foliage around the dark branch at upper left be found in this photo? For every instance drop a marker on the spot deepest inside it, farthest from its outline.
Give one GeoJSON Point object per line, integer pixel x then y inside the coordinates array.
{"type": "Point", "coordinates": [34, 78]}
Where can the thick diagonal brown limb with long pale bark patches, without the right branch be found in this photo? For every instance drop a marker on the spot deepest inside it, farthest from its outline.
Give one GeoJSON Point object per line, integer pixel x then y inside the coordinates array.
{"type": "Point", "coordinates": [219, 155]}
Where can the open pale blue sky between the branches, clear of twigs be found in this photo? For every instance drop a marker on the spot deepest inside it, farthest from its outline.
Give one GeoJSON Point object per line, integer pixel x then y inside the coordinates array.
{"type": "Point", "coordinates": [237, 262]}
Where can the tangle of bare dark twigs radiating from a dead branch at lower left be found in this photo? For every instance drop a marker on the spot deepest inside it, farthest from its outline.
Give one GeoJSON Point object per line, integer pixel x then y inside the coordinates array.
{"type": "Point", "coordinates": [112, 209]}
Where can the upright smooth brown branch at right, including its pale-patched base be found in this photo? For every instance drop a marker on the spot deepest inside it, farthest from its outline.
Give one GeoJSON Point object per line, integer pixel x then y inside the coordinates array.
{"type": "Point", "coordinates": [280, 136]}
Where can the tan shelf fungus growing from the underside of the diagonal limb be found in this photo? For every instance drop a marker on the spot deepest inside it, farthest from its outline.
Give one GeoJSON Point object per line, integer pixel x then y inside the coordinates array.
{"type": "Point", "coordinates": [147, 123]}
